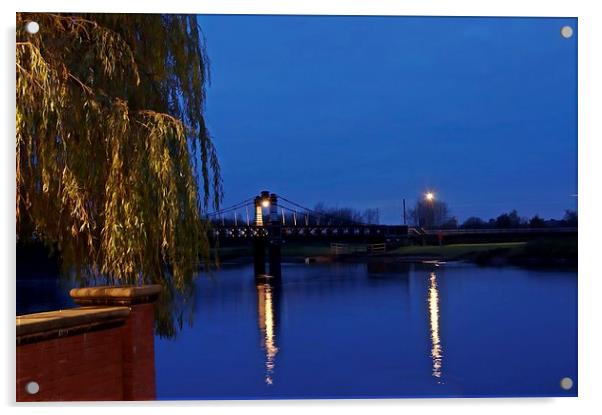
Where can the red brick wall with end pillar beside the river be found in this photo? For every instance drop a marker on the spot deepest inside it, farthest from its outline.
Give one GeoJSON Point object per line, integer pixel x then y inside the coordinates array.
{"type": "Point", "coordinates": [92, 361]}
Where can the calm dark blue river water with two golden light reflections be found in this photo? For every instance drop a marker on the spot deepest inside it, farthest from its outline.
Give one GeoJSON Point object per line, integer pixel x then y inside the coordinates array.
{"type": "Point", "coordinates": [357, 330]}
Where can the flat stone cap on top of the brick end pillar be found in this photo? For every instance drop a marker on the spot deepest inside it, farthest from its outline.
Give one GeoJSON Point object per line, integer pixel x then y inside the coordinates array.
{"type": "Point", "coordinates": [125, 294]}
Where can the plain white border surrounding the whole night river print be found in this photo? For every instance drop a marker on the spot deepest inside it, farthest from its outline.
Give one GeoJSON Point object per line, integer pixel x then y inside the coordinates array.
{"type": "Point", "coordinates": [590, 208]}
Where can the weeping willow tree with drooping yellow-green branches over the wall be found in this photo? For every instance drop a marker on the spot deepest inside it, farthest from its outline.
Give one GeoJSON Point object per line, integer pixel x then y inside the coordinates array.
{"type": "Point", "coordinates": [114, 163]}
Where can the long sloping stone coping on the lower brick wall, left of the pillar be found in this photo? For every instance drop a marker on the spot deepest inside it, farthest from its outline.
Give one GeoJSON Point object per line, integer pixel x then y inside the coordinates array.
{"type": "Point", "coordinates": [63, 322]}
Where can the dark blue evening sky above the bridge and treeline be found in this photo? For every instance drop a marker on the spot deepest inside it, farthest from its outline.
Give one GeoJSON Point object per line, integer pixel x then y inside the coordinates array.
{"type": "Point", "coordinates": [364, 111]}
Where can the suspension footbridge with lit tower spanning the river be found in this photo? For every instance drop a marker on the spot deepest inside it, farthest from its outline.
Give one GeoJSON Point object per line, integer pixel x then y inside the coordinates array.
{"type": "Point", "coordinates": [290, 221]}
